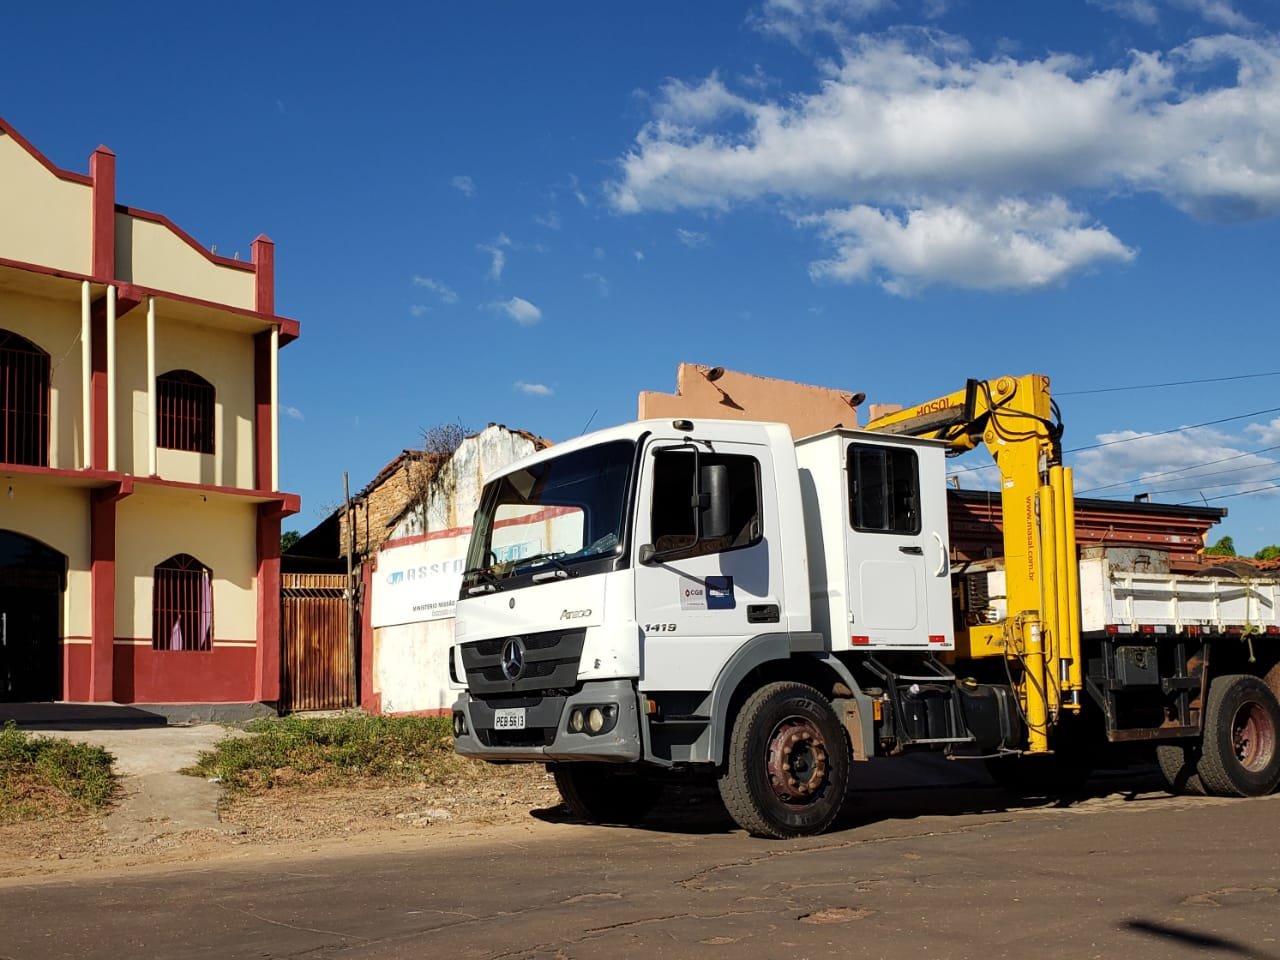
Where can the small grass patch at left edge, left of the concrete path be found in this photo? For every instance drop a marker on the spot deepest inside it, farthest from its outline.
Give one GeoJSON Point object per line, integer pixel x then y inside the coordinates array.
{"type": "Point", "coordinates": [47, 776]}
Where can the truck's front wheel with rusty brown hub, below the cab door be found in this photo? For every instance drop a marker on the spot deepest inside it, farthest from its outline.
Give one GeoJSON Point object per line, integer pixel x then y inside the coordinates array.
{"type": "Point", "coordinates": [788, 767]}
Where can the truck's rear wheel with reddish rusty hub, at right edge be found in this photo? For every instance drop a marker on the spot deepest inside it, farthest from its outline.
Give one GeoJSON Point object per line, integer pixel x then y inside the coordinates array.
{"type": "Point", "coordinates": [1241, 755]}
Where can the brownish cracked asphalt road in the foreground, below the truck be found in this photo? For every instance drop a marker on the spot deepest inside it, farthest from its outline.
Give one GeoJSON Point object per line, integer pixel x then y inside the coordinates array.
{"type": "Point", "coordinates": [920, 874]}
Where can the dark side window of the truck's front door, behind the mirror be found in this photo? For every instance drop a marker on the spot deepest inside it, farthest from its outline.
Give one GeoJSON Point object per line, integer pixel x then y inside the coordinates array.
{"type": "Point", "coordinates": [673, 523]}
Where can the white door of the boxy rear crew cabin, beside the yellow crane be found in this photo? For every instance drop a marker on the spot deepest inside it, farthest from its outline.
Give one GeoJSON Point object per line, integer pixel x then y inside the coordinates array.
{"type": "Point", "coordinates": [899, 575]}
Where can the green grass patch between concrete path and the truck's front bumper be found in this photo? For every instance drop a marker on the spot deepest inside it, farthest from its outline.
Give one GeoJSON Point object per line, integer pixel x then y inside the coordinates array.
{"type": "Point", "coordinates": [330, 751]}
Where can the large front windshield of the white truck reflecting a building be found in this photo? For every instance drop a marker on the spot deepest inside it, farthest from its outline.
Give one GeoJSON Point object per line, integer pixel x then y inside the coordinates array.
{"type": "Point", "coordinates": [552, 518]}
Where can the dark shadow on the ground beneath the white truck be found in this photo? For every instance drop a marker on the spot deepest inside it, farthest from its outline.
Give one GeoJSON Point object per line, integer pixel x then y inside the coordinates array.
{"type": "Point", "coordinates": [897, 790]}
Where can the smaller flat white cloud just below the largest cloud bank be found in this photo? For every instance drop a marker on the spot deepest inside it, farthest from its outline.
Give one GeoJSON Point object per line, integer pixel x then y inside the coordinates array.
{"type": "Point", "coordinates": [1011, 246]}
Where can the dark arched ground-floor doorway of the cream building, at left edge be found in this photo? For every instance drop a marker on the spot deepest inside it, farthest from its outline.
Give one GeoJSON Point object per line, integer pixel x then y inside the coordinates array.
{"type": "Point", "coordinates": [33, 579]}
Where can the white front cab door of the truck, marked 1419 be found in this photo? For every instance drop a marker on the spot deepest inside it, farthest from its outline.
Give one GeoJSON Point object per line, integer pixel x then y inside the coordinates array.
{"type": "Point", "coordinates": [700, 600]}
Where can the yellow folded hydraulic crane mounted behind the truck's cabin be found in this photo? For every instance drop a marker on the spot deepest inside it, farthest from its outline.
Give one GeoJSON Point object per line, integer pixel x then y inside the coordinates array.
{"type": "Point", "coordinates": [1016, 419]}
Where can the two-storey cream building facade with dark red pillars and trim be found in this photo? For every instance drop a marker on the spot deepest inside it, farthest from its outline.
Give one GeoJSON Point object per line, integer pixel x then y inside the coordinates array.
{"type": "Point", "coordinates": [118, 298]}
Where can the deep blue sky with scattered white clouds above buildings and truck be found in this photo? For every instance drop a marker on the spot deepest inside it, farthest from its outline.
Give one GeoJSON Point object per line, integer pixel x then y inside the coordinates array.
{"type": "Point", "coordinates": [529, 213]}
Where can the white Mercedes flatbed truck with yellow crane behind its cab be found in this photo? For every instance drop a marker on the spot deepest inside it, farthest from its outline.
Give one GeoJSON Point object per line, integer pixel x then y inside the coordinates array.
{"type": "Point", "coordinates": [674, 597]}
